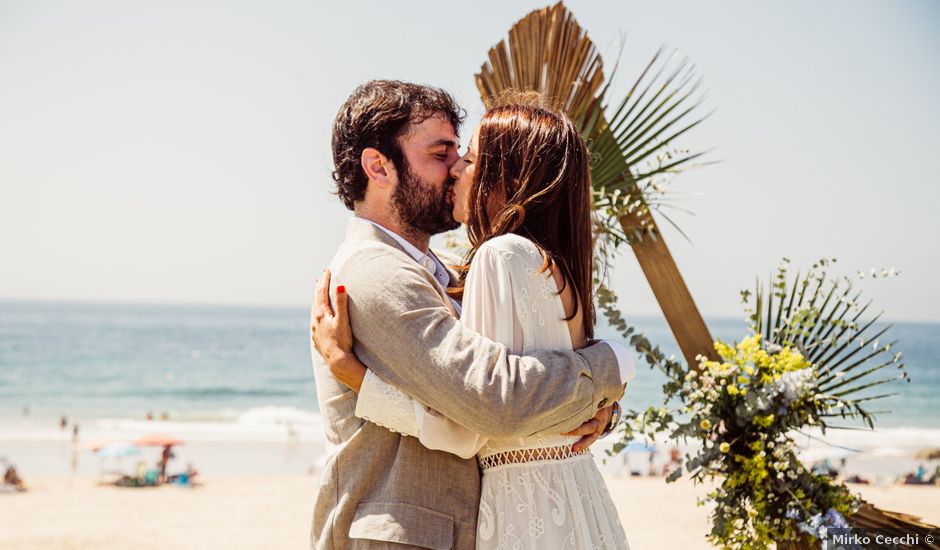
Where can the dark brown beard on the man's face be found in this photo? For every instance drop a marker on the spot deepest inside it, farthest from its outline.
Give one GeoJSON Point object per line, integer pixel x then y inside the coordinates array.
{"type": "Point", "coordinates": [421, 206]}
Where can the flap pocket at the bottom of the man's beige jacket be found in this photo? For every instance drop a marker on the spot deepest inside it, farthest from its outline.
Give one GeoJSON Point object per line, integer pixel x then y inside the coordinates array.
{"type": "Point", "coordinates": [403, 524]}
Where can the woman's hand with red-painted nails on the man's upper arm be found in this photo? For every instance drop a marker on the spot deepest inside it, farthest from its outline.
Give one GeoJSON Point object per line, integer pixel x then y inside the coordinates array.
{"type": "Point", "coordinates": [332, 335]}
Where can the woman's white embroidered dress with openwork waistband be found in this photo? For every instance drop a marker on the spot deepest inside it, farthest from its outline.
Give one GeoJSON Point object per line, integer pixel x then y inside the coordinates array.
{"type": "Point", "coordinates": [536, 494]}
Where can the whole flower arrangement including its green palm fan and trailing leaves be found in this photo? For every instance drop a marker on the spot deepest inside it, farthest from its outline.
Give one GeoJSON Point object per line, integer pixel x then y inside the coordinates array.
{"type": "Point", "coordinates": [806, 361]}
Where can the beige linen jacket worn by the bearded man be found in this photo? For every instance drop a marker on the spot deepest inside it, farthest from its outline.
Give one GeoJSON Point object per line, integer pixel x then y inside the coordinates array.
{"type": "Point", "coordinates": [381, 489]}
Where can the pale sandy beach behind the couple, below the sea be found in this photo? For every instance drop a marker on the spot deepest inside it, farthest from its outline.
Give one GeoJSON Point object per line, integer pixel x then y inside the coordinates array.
{"type": "Point", "coordinates": [257, 491]}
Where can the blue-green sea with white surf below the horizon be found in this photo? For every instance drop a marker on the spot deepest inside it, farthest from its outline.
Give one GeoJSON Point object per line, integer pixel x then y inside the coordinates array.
{"type": "Point", "coordinates": [249, 367]}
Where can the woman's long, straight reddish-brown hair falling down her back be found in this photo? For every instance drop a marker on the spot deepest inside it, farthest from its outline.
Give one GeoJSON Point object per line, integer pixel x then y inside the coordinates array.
{"type": "Point", "coordinates": [533, 179]}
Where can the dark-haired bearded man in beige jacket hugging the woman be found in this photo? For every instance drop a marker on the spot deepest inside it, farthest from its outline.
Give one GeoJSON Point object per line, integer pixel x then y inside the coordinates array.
{"type": "Point", "coordinates": [393, 145]}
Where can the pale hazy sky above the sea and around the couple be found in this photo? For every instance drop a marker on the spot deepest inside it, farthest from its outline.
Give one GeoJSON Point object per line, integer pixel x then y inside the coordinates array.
{"type": "Point", "coordinates": [179, 152]}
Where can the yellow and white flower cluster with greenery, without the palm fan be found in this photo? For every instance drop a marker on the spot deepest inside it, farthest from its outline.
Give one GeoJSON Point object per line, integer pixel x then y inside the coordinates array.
{"type": "Point", "coordinates": [742, 410]}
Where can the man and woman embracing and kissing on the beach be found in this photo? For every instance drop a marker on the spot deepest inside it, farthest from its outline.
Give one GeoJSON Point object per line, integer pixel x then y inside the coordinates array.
{"type": "Point", "coordinates": [459, 397]}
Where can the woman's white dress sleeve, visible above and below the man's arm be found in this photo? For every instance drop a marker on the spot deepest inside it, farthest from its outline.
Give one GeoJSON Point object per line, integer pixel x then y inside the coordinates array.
{"type": "Point", "coordinates": [488, 310]}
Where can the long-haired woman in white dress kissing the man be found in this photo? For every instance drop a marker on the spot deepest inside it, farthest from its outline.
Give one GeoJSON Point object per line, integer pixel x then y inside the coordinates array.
{"type": "Point", "coordinates": [523, 190]}
